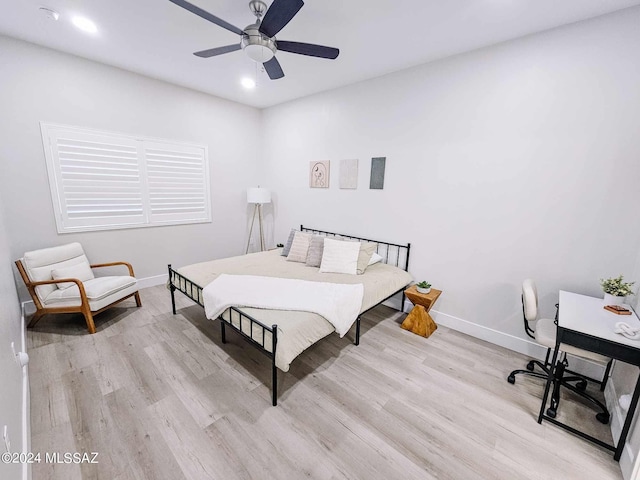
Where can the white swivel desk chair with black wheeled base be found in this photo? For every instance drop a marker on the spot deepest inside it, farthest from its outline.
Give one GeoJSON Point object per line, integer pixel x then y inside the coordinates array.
{"type": "Point", "coordinates": [545, 334]}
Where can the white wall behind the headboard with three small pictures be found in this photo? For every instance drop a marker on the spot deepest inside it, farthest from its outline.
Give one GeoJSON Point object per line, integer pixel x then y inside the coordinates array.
{"type": "Point", "coordinates": [514, 161]}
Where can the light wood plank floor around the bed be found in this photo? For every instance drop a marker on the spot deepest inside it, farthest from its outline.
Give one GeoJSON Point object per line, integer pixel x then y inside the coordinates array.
{"type": "Point", "coordinates": [159, 396]}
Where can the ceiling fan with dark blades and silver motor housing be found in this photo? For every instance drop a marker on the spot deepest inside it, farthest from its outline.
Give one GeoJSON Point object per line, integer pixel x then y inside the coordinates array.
{"type": "Point", "coordinates": [258, 39]}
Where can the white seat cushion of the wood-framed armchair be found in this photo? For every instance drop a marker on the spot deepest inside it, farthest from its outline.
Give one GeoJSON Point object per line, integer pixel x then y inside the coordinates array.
{"type": "Point", "coordinates": [100, 291]}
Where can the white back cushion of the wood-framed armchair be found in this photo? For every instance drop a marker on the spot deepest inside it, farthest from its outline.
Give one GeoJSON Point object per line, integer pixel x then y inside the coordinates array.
{"type": "Point", "coordinates": [40, 263]}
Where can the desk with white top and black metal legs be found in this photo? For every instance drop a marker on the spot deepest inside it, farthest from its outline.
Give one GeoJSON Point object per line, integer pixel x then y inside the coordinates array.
{"type": "Point", "coordinates": [584, 323]}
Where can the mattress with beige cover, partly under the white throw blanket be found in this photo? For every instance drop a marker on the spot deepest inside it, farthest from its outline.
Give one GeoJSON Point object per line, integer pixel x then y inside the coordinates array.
{"type": "Point", "coordinates": [296, 330]}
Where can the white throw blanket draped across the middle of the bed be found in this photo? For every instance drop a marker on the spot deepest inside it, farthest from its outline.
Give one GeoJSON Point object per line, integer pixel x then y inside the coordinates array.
{"type": "Point", "coordinates": [338, 303]}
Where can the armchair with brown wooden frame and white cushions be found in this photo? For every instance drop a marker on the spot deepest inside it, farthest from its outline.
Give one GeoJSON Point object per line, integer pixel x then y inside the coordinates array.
{"type": "Point", "coordinates": [60, 280]}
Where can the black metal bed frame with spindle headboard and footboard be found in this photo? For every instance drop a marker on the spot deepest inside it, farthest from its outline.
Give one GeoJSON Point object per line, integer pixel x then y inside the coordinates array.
{"type": "Point", "coordinates": [266, 339]}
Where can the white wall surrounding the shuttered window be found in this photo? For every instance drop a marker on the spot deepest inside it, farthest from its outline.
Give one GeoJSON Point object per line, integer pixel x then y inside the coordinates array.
{"type": "Point", "coordinates": [41, 84]}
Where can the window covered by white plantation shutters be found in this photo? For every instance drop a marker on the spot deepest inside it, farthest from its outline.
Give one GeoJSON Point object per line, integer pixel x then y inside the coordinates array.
{"type": "Point", "coordinates": [101, 180]}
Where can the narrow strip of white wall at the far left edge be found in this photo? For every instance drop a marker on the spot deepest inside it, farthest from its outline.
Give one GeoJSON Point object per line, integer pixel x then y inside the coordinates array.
{"type": "Point", "coordinates": [11, 376]}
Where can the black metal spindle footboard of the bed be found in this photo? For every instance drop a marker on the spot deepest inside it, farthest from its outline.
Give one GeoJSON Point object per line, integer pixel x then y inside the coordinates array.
{"type": "Point", "coordinates": [262, 336]}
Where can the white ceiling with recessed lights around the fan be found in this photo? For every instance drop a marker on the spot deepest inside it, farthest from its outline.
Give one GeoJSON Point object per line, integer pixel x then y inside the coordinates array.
{"type": "Point", "coordinates": [375, 37]}
